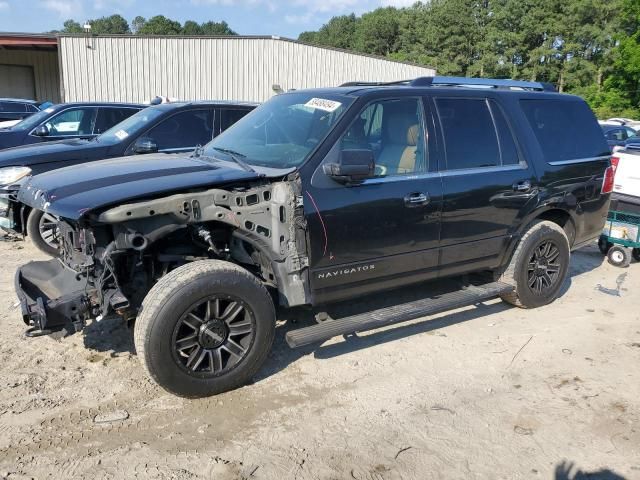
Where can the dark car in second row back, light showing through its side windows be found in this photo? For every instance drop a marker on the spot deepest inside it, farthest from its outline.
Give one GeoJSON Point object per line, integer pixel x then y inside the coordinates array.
{"type": "Point", "coordinates": [66, 121]}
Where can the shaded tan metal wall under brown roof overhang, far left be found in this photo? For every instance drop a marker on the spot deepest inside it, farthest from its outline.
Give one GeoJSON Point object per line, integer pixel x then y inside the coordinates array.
{"type": "Point", "coordinates": [45, 70]}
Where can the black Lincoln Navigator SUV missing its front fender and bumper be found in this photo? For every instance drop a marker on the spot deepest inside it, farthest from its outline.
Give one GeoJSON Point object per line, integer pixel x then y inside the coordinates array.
{"type": "Point", "coordinates": [318, 196]}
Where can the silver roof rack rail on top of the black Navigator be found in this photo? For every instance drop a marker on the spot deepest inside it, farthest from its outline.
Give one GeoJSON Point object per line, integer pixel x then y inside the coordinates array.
{"type": "Point", "coordinates": [504, 84]}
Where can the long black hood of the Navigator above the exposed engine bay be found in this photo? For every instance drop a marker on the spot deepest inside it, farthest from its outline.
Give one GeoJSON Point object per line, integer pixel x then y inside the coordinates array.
{"type": "Point", "coordinates": [74, 191]}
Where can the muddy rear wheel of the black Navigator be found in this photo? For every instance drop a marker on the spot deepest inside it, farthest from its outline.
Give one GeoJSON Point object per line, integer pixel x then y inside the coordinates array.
{"type": "Point", "coordinates": [542, 246]}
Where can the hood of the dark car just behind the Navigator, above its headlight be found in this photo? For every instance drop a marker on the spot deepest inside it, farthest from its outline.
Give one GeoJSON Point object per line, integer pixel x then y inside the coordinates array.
{"type": "Point", "coordinates": [48, 152]}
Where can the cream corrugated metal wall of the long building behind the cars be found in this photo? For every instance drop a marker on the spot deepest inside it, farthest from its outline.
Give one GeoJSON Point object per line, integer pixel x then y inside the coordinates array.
{"type": "Point", "coordinates": [233, 68]}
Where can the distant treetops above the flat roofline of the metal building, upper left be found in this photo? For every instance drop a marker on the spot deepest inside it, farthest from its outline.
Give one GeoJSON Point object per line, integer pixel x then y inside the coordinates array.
{"type": "Point", "coordinates": [158, 25]}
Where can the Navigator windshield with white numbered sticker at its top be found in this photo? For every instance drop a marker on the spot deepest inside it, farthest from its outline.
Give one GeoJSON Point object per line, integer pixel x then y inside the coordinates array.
{"type": "Point", "coordinates": [282, 132]}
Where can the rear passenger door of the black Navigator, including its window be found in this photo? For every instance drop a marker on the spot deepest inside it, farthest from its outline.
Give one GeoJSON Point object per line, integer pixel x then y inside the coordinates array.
{"type": "Point", "coordinates": [485, 184]}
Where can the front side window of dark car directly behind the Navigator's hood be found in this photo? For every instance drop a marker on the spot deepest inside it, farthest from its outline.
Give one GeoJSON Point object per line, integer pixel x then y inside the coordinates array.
{"type": "Point", "coordinates": [183, 130]}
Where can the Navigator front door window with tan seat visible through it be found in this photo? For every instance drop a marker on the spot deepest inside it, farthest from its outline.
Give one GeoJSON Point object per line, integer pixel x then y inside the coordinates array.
{"type": "Point", "coordinates": [393, 131]}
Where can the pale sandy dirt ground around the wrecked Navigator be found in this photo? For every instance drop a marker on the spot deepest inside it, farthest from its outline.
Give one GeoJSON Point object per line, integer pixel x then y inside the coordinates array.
{"type": "Point", "coordinates": [489, 392]}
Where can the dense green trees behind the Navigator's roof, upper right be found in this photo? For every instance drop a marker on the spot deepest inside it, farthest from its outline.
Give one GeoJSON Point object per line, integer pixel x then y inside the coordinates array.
{"type": "Point", "coordinates": [587, 47]}
